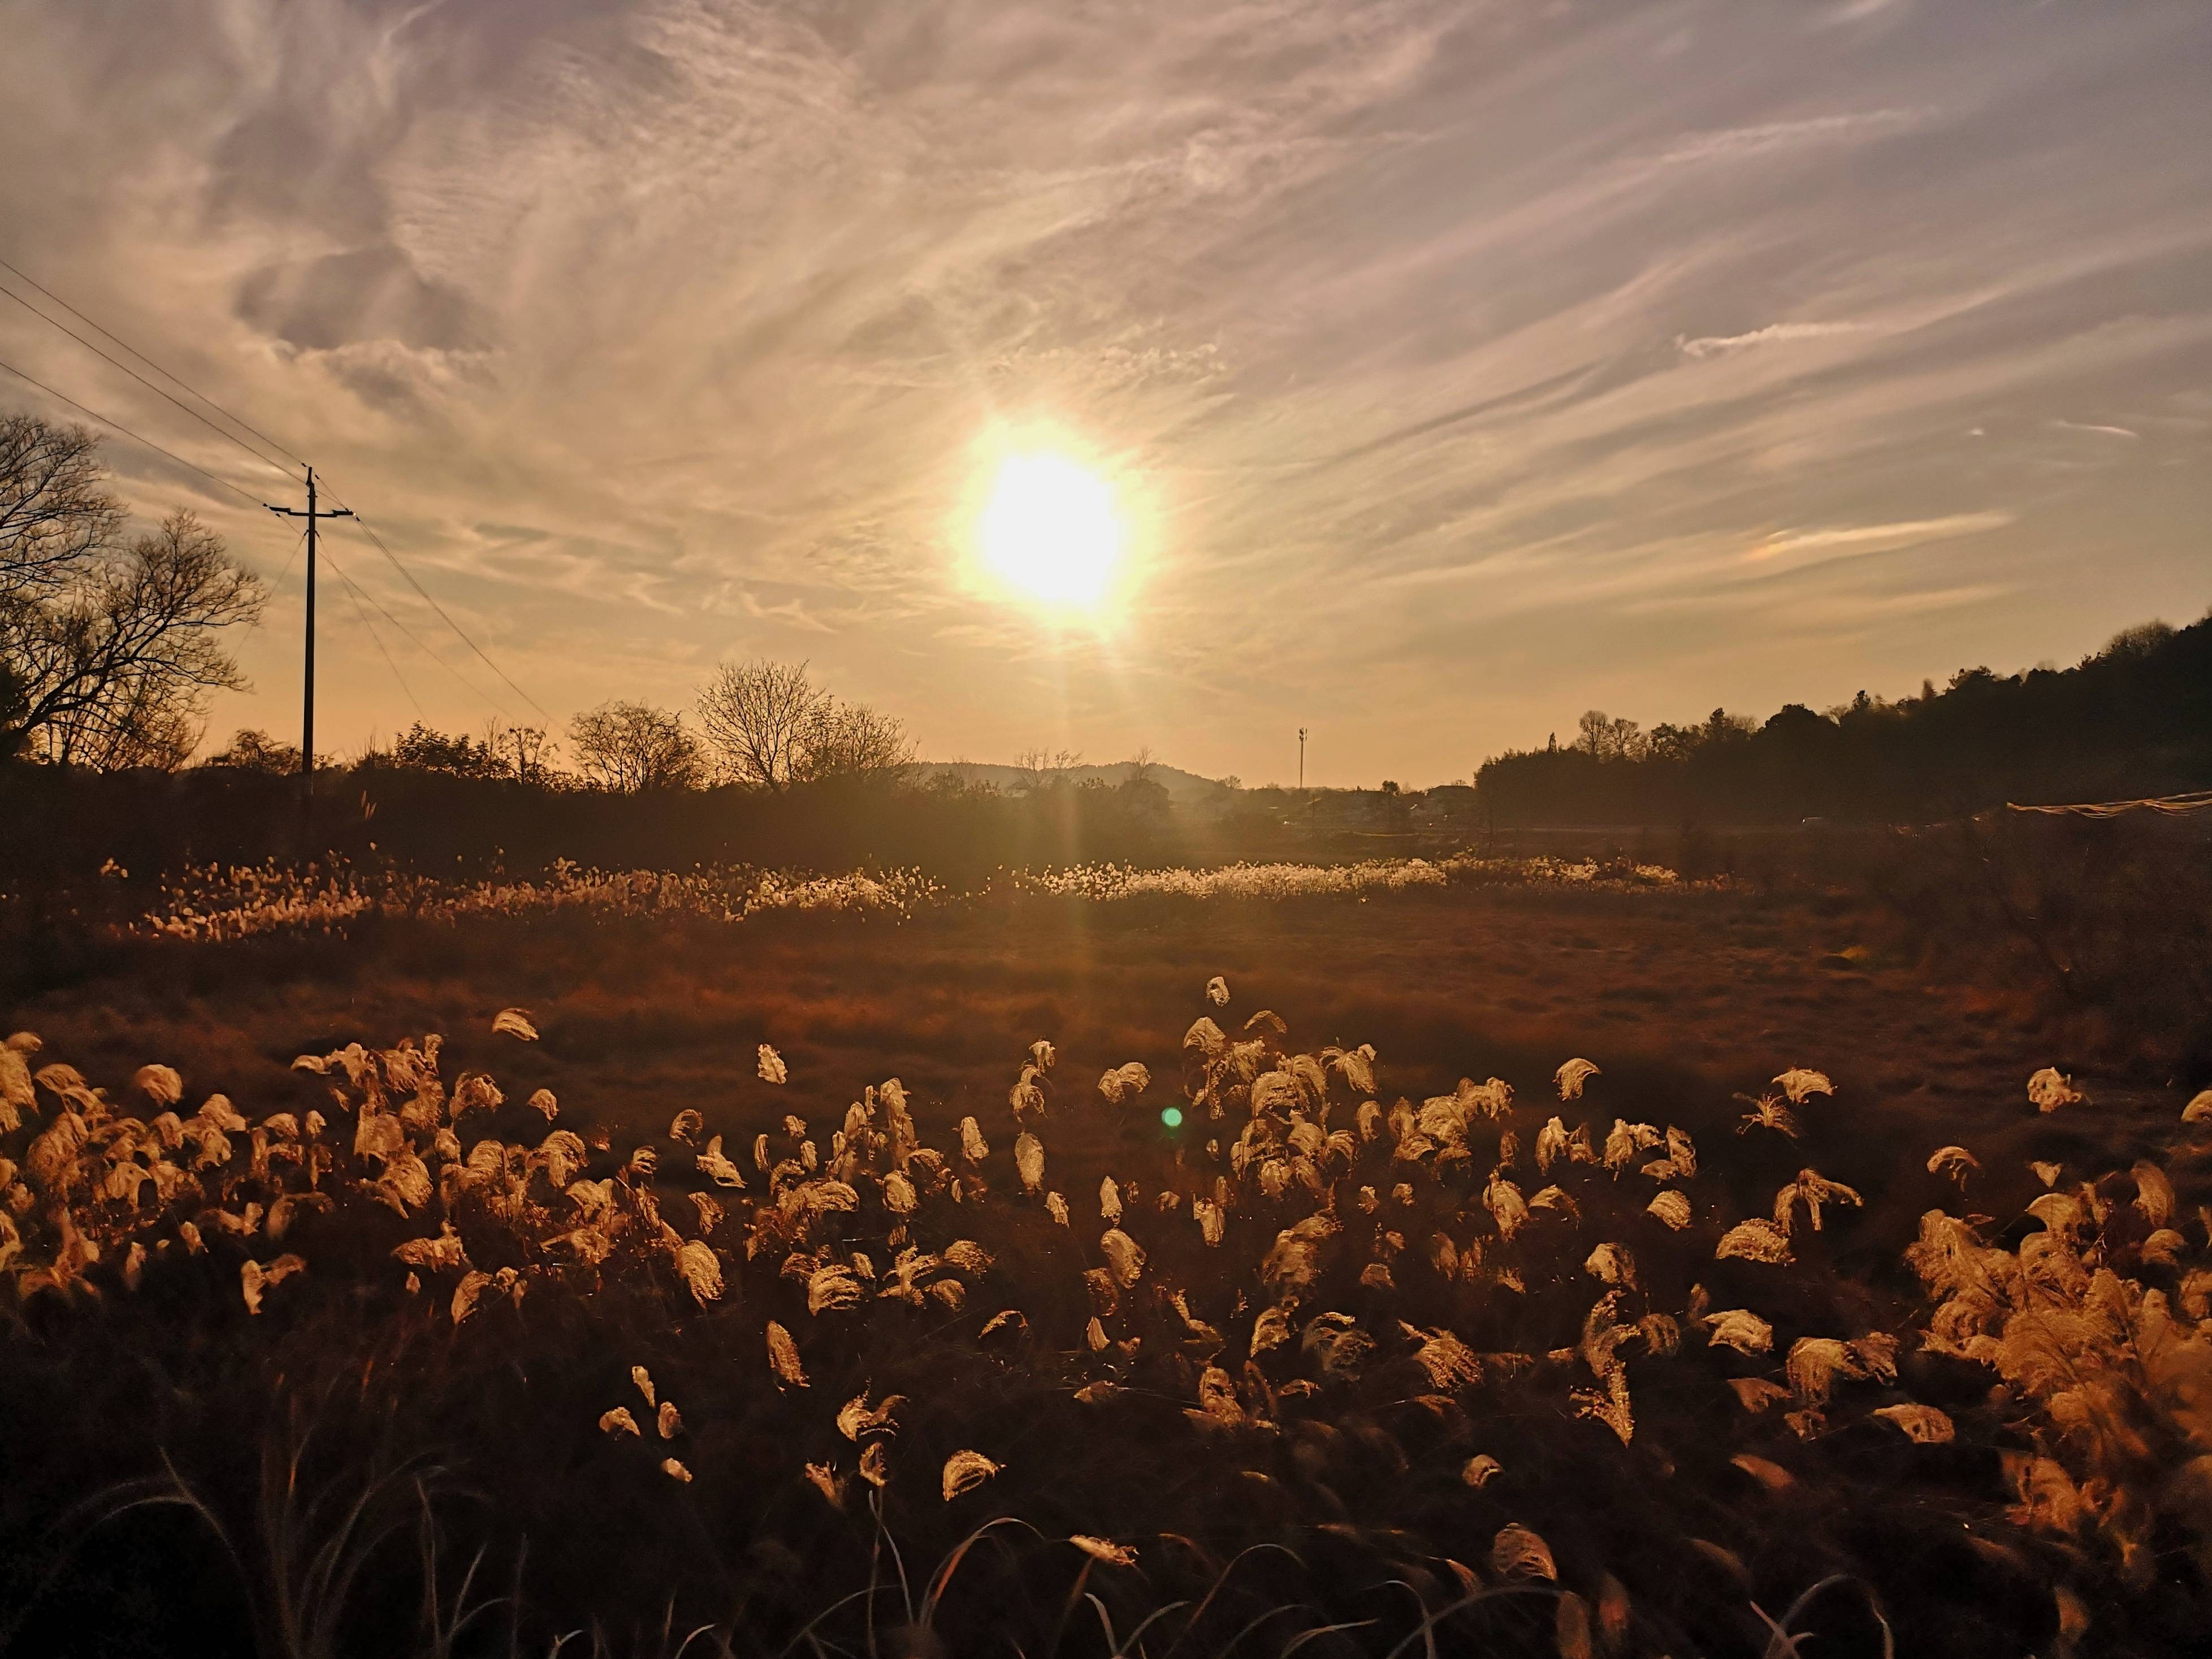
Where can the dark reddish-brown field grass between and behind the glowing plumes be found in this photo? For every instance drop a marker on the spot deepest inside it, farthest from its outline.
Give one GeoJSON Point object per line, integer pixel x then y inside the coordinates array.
{"type": "Point", "coordinates": [353, 1474]}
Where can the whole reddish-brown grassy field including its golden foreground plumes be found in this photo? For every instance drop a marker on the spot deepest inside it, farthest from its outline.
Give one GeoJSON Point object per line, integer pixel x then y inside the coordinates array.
{"type": "Point", "coordinates": [1315, 1377]}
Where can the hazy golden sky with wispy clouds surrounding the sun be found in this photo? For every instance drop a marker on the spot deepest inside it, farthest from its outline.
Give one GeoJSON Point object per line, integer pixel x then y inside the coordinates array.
{"type": "Point", "coordinates": [1452, 366]}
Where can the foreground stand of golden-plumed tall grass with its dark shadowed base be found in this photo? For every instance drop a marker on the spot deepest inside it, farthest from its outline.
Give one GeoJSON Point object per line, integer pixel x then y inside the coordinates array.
{"type": "Point", "coordinates": [1227, 1348]}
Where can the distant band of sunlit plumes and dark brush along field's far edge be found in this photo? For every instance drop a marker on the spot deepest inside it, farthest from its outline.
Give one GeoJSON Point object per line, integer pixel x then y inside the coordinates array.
{"type": "Point", "coordinates": [2096, 924]}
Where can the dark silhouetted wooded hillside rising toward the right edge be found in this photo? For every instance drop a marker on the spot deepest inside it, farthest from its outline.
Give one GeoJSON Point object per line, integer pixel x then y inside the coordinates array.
{"type": "Point", "coordinates": [2131, 720]}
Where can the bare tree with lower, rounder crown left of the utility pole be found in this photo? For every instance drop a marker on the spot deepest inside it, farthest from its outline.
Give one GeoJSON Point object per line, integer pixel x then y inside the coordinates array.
{"type": "Point", "coordinates": [114, 651]}
